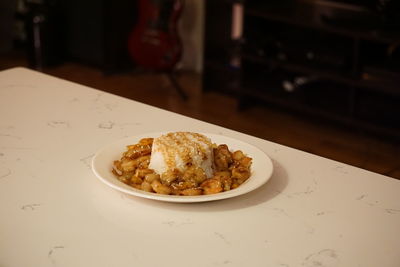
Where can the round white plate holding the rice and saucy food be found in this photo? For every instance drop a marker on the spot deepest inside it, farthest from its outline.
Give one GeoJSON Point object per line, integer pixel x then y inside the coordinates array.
{"type": "Point", "coordinates": [261, 169]}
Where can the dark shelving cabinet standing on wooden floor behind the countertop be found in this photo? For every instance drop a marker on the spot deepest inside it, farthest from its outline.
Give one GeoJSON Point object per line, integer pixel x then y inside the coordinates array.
{"type": "Point", "coordinates": [318, 60]}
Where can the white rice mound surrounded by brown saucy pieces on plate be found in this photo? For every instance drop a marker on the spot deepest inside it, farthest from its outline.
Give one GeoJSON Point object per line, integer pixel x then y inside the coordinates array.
{"type": "Point", "coordinates": [182, 163]}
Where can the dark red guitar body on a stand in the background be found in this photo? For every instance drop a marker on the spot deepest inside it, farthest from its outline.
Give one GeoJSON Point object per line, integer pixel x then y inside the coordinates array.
{"type": "Point", "coordinates": [154, 43]}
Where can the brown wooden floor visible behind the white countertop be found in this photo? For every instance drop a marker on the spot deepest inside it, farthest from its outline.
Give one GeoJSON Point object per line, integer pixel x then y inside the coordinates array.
{"type": "Point", "coordinates": [353, 147]}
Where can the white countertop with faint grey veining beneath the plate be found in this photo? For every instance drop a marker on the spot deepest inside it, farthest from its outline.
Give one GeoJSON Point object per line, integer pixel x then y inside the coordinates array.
{"type": "Point", "coordinates": [55, 212]}
